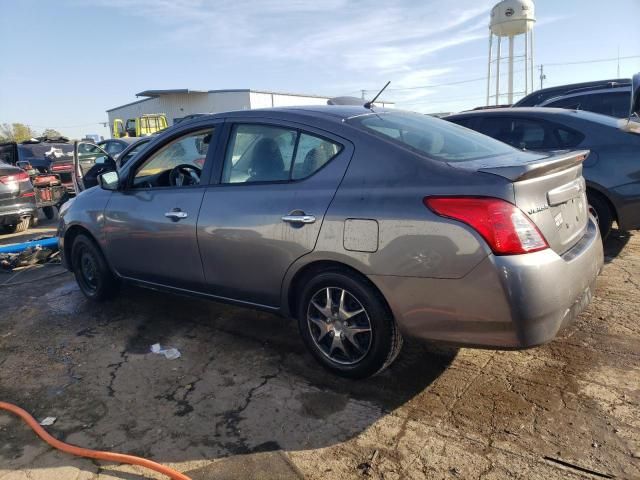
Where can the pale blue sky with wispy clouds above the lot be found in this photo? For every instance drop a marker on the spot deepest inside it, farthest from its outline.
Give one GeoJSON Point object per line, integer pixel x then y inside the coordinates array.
{"type": "Point", "coordinates": [65, 62]}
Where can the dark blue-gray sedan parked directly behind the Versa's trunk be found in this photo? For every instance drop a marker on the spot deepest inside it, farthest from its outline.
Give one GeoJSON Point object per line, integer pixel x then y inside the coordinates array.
{"type": "Point", "coordinates": [612, 170]}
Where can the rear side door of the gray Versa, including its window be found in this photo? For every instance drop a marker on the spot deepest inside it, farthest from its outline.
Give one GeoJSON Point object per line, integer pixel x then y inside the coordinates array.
{"type": "Point", "coordinates": [275, 181]}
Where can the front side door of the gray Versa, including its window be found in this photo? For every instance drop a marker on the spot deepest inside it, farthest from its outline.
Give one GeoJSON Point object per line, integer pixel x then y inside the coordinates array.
{"type": "Point", "coordinates": [150, 223]}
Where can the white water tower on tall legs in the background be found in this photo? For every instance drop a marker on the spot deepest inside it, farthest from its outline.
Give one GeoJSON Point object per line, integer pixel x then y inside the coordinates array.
{"type": "Point", "coordinates": [513, 19]}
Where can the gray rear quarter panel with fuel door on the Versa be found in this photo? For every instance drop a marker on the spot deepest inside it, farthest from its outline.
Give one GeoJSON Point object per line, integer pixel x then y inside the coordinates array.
{"type": "Point", "coordinates": [387, 184]}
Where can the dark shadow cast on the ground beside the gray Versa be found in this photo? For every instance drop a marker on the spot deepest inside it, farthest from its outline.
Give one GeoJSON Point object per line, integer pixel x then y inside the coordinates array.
{"type": "Point", "coordinates": [244, 385]}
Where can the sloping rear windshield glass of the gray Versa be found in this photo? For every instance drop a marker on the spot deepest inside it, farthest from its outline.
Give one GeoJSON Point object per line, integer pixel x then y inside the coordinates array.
{"type": "Point", "coordinates": [429, 136]}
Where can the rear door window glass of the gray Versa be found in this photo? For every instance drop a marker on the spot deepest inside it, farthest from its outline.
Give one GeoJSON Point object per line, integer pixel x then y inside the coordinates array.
{"type": "Point", "coordinates": [269, 153]}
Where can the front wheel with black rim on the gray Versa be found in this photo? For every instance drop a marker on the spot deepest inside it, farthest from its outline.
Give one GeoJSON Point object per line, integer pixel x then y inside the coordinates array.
{"type": "Point", "coordinates": [92, 273]}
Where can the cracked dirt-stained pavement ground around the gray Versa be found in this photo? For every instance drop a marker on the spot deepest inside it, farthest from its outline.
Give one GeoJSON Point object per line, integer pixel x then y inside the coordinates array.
{"type": "Point", "coordinates": [246, 401]}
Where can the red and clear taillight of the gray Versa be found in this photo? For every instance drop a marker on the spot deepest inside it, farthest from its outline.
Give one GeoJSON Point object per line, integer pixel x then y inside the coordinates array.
{"type": "Point", "coordinates": [506, 229]}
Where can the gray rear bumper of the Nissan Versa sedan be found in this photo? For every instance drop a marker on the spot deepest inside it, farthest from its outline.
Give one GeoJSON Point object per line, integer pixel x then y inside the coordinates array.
{"type": "Point", "coordinates": [515, 301]}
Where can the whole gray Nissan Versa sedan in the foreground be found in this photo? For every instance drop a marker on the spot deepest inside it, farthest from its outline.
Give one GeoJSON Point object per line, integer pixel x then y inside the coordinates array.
{"type": "Point", "coordinates": [366, 225]}
